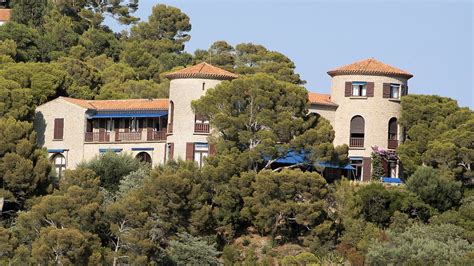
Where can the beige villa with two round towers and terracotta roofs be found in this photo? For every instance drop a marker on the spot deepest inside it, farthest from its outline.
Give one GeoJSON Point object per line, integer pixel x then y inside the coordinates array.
{"type": "Point", "coordinates": [363, 108]}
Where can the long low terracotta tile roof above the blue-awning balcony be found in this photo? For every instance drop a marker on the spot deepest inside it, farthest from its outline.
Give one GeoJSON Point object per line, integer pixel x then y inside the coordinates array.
{"type": "Point", "coordinates": [117, 105]}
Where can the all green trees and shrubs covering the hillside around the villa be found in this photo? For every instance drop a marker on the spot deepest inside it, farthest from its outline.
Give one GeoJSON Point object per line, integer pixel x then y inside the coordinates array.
{"type": "Point", "coordinates": [235, 210]}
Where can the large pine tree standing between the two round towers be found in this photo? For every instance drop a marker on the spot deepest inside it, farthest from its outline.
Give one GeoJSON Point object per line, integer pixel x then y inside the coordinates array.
{"type": "Point", "coordinates": [264, 118]}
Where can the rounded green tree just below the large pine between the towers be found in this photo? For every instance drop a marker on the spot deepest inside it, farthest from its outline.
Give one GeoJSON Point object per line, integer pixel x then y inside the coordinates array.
{"type": "Point", "coordinates": [287, 203]}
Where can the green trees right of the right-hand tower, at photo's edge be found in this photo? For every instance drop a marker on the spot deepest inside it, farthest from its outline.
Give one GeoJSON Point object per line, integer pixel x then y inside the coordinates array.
{"type": "Point", "coordinates": [439, 134]}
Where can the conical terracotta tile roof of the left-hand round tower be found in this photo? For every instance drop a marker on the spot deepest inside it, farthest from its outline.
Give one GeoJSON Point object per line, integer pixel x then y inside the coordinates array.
{"type": "Point", "coordinates": [202, 70]}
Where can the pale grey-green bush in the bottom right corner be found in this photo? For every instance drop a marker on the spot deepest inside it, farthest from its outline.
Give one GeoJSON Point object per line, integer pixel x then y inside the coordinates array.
{"type": "Point", "coordinates": [423, 245]}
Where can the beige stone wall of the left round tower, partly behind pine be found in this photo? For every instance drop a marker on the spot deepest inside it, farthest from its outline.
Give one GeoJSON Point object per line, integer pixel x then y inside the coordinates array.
{"type": "Point", "coordinates": [182, 93]}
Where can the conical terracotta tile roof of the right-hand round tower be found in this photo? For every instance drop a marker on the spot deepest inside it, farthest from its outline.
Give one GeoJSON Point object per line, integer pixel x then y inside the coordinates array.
{"type": "Point", "coordinates": [369, 66]}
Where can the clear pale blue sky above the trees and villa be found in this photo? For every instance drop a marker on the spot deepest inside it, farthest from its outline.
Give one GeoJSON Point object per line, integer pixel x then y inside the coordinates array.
{"type": "Point", "coordinates": [431, 39]}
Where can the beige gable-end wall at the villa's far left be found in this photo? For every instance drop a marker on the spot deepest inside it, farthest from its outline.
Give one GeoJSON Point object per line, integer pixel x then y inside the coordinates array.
{"type": "Point", "coordinates": [74, 128]}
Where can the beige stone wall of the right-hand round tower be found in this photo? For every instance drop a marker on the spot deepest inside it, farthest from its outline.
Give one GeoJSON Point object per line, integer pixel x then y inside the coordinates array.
{"type": "Point", "coordinates": [376, 112]}
